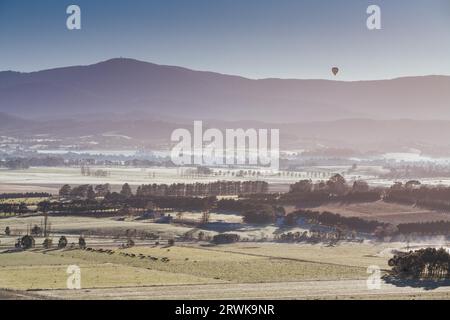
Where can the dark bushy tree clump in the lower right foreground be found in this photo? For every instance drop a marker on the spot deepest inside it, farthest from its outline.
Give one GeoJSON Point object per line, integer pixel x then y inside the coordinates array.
{"type": "Point", "coordinates": [426, 263]}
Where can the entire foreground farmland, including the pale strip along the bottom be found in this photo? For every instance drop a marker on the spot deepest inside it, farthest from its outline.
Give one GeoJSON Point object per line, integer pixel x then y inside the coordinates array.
{"type": "Point", "coordinates": [251, 271]}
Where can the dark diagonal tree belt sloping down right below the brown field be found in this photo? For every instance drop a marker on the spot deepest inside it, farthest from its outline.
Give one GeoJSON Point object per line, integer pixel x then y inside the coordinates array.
{"type": "Point", "coordinates": [335, 220]}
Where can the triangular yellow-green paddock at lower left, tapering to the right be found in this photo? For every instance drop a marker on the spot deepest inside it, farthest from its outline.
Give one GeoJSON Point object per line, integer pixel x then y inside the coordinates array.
{"type": "Point", "coordinates": [38, 271]}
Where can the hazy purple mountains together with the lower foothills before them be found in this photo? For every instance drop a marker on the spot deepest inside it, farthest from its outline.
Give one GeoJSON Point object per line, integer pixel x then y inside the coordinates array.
{"type": "Point", "coordinates": [146, 102]}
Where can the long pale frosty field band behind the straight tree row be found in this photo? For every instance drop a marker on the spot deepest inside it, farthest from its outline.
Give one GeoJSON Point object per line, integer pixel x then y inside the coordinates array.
{"type": "Point", "coordinates": [41, 178]}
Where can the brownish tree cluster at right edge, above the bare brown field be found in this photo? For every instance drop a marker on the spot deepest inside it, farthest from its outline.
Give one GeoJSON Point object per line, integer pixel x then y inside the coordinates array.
{"type": "Point", "coordinates": [413, 193]}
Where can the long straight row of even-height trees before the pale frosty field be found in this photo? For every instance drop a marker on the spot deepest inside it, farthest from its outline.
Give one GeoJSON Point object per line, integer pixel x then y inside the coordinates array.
{"type": "Point", "coordinates": [204, 189]}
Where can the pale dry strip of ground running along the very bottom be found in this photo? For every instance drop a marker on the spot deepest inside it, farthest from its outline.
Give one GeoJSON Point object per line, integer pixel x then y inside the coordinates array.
{"type": "Point", "coordinates": [343, 289]}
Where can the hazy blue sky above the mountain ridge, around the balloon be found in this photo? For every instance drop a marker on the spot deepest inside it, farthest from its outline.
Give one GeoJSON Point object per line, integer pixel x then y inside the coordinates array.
{"type": "Point", "coordinates": [252, 38]}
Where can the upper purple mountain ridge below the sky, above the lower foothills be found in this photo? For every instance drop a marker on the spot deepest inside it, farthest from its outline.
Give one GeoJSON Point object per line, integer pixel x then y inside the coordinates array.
{"type": "Point", "coordinates": [126, 85]}
